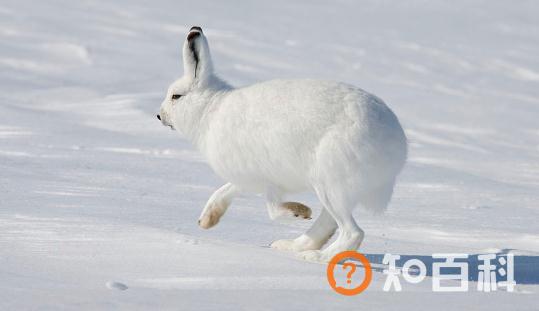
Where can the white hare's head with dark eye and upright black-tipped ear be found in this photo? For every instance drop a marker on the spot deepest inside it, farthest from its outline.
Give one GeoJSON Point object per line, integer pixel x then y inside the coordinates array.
{"type": "Point", "coordinates": [197, 76]}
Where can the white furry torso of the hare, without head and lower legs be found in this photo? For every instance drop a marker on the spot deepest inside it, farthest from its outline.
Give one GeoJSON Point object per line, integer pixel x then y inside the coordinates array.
{"type": "Point", "coordinates": [317, 130]}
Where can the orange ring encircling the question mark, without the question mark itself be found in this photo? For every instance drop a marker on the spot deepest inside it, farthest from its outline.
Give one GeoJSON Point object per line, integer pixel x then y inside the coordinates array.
{"type": "Point", "coordinates": [331, 273]}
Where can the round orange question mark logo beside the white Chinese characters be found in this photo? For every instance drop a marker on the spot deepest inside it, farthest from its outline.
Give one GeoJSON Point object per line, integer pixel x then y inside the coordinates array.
{"type": "Point", "coordinates": [341, 257]}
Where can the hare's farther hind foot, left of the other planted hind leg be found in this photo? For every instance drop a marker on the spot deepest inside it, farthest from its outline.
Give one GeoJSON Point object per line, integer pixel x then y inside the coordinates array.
{"type": "Point", "coordinates": [319, 233]}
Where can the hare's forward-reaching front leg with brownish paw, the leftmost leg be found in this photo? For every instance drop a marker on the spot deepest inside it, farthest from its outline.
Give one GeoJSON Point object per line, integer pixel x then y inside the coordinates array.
{"type": "Point", "coordinates": [217, 205]}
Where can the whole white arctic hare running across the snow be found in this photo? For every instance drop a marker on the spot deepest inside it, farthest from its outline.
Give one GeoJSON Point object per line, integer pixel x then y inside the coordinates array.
{"type": "Point", "coordinates": [287, 136]}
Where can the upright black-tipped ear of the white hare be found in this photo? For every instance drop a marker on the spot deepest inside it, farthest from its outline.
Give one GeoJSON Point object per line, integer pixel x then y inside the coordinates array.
{"type": "Point", "coordinates": [196, 56]}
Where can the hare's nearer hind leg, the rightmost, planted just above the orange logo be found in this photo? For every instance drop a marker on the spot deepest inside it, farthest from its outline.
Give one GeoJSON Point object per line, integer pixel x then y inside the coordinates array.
{"type": "Point", "coordinates": [339, 204]}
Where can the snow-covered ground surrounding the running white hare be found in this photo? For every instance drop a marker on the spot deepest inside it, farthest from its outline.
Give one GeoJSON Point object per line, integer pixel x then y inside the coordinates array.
{"type": "Point", "coordinates": [99, 202]}
